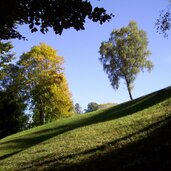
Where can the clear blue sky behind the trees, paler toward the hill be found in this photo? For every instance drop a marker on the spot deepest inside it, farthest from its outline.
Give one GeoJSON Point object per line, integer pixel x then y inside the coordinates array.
{"type": "Point", "coordinates": [87, 81]}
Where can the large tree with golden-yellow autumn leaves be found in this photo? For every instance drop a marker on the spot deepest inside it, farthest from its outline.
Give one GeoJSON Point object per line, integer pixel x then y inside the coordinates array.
{"type": "Point", "coordinates": [45, 83]}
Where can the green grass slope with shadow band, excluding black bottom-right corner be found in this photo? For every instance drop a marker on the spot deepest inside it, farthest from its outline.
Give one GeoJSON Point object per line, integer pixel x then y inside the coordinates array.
{"type": "Point", "coordinates": [75, 142]}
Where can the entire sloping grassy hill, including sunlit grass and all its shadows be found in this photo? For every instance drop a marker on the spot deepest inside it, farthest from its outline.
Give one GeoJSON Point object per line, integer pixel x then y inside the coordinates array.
{"type": "Point", "coordinates": [134, 135]}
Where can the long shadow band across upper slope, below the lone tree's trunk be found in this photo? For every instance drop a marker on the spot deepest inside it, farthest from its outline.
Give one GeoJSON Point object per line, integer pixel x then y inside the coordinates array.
{"type": "Point", "coordinates": [118, 111]}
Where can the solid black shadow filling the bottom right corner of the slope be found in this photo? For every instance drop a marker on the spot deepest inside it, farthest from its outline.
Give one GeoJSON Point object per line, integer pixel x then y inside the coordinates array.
{"type": "Point", "coordinates": [148, 154]}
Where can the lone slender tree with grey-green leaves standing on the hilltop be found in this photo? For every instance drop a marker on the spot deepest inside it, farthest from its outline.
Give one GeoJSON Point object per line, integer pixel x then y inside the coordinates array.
{"type": "Point", "coordinates": [124, 55]}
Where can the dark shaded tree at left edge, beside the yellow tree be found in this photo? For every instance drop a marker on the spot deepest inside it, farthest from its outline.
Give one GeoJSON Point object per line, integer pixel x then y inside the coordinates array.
{"type": "Point", "coordinates": [12, 106]}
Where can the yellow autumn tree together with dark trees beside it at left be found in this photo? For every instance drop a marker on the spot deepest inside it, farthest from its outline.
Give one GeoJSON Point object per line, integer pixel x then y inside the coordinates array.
{"type": "Point", "coordinates": [36, 82]}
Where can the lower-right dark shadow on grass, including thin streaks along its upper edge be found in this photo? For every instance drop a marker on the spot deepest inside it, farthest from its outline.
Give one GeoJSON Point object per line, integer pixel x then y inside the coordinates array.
{"type": "Point", "coordinates": [150, 153]}
